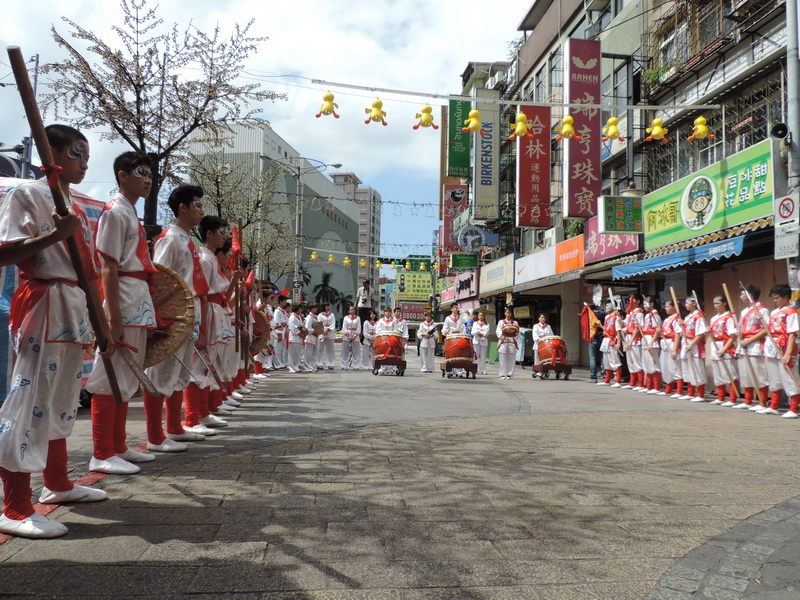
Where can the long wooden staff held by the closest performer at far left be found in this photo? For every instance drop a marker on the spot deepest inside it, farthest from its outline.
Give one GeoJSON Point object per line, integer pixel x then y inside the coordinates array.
{"type": "Point", "coordinates": [93, 303]}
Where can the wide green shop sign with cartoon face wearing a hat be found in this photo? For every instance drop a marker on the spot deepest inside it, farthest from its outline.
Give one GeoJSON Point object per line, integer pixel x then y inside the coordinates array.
{"type": "Point", "coordinates": [733, 191]}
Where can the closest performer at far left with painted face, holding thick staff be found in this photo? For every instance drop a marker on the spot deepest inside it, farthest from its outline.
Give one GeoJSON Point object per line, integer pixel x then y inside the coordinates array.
{"type": "Point", "coordinates": [49, 326]}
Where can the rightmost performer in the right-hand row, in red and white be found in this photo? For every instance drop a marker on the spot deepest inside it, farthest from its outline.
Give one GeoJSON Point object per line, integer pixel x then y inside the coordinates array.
{"type": "Point", "coordinates": [782, 355]}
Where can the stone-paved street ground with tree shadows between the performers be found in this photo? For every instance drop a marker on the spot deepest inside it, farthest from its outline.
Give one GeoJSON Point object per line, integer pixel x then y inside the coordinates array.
{"type": "Point", "coordinates": [345, 485]}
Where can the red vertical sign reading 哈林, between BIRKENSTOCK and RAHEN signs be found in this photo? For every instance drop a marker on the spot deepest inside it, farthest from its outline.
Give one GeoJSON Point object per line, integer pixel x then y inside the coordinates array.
{"type": "Point", "coordinates": [533, 169]}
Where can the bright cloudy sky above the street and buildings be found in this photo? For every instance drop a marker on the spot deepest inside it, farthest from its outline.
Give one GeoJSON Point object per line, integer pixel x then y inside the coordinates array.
{"type": "Point", "coordinates": [399, 44]}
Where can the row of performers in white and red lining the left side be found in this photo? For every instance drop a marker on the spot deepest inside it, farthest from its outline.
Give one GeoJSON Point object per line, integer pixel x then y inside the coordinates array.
{"type": "Point", "coordinates": [50, 328]}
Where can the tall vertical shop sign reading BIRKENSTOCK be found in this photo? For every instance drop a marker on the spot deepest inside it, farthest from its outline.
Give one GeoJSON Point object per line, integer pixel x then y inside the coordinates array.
{"type": "Point", "coordinates": [486, 159]}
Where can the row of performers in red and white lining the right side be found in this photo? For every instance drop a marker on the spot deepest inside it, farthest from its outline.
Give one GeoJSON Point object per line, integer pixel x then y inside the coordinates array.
{"type": "Point", "coordinates": [756, 351]}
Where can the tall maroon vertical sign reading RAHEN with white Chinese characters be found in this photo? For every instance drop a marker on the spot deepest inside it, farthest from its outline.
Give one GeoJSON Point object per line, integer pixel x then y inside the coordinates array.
{"type": "Point", "coordinates": [582, 157]}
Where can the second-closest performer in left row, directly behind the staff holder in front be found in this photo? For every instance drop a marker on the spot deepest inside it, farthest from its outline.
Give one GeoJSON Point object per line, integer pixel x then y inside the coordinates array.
{"type": "Point", "coordinates": [125, 267]}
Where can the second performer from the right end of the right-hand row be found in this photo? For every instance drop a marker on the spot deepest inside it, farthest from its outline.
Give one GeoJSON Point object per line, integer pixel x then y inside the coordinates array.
{"type": "Point", "coordinates": [750, 349]}
